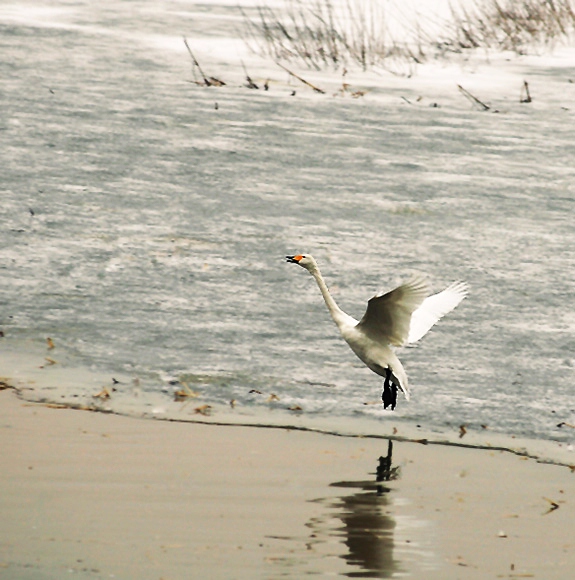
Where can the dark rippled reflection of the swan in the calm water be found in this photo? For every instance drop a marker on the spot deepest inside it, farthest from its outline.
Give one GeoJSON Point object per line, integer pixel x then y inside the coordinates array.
{"type": "Point", "coordinates": [364, 526]}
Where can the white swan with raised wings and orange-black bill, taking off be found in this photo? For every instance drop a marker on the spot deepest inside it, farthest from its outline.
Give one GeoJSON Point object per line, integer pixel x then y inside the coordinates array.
{"type": "Point", "coordinates": [396, 318]}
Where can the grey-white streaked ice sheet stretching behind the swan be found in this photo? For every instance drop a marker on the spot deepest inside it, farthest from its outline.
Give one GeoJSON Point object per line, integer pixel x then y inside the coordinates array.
{"type": "Point", "coordinates": [145, 220]}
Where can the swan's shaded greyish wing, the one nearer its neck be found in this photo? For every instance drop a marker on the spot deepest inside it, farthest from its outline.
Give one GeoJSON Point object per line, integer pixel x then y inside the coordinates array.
{"type": "Point", "coordinates": [387, 318]}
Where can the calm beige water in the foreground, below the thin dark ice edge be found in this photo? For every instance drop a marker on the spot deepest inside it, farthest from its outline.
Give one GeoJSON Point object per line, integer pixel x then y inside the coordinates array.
{"type": "Point", "coordinates": [90, 495]}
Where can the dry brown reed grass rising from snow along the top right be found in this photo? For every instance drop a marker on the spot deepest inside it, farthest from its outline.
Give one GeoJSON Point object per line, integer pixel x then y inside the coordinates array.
{"type": "Point", "coordinates": [320, 35]}
